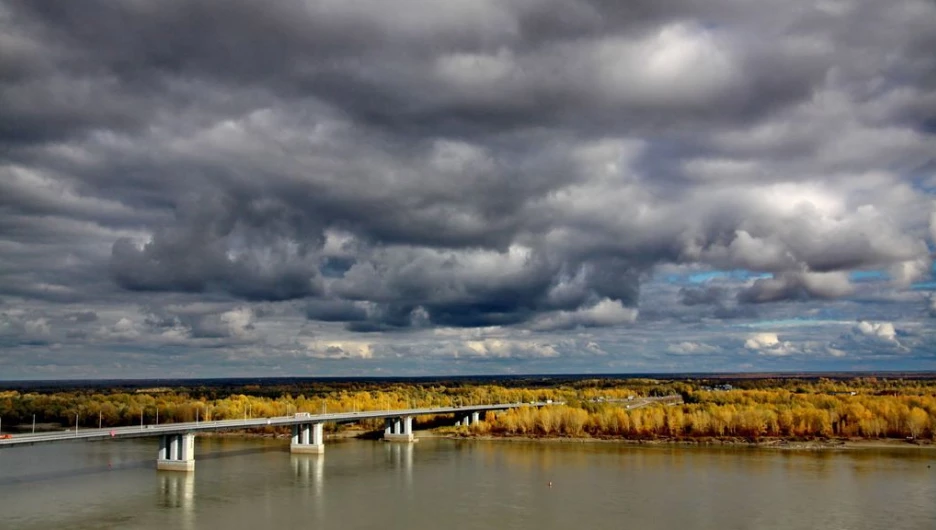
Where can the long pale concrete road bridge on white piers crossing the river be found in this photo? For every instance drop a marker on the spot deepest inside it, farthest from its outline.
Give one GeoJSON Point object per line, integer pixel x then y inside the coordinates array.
{"type": "Point", "coordinates": [177, 440]}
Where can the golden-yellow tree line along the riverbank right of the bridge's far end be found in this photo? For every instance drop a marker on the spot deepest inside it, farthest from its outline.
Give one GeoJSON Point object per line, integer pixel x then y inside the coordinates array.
{"type": "Point", "coordinates": [801, 417]}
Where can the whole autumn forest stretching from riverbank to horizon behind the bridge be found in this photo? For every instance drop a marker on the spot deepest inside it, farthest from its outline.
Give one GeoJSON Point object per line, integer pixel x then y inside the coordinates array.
{"type": "Point", "coordinates": [750, 408]}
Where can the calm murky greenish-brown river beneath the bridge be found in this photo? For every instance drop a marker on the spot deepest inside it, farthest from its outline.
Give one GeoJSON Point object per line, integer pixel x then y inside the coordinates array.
{"type": "Point", "coordinates": [439, 483]}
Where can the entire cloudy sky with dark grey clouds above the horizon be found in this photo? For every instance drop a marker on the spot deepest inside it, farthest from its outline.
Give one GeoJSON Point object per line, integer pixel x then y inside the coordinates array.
{"type": "Point", "coordinates": [211, 188]}
